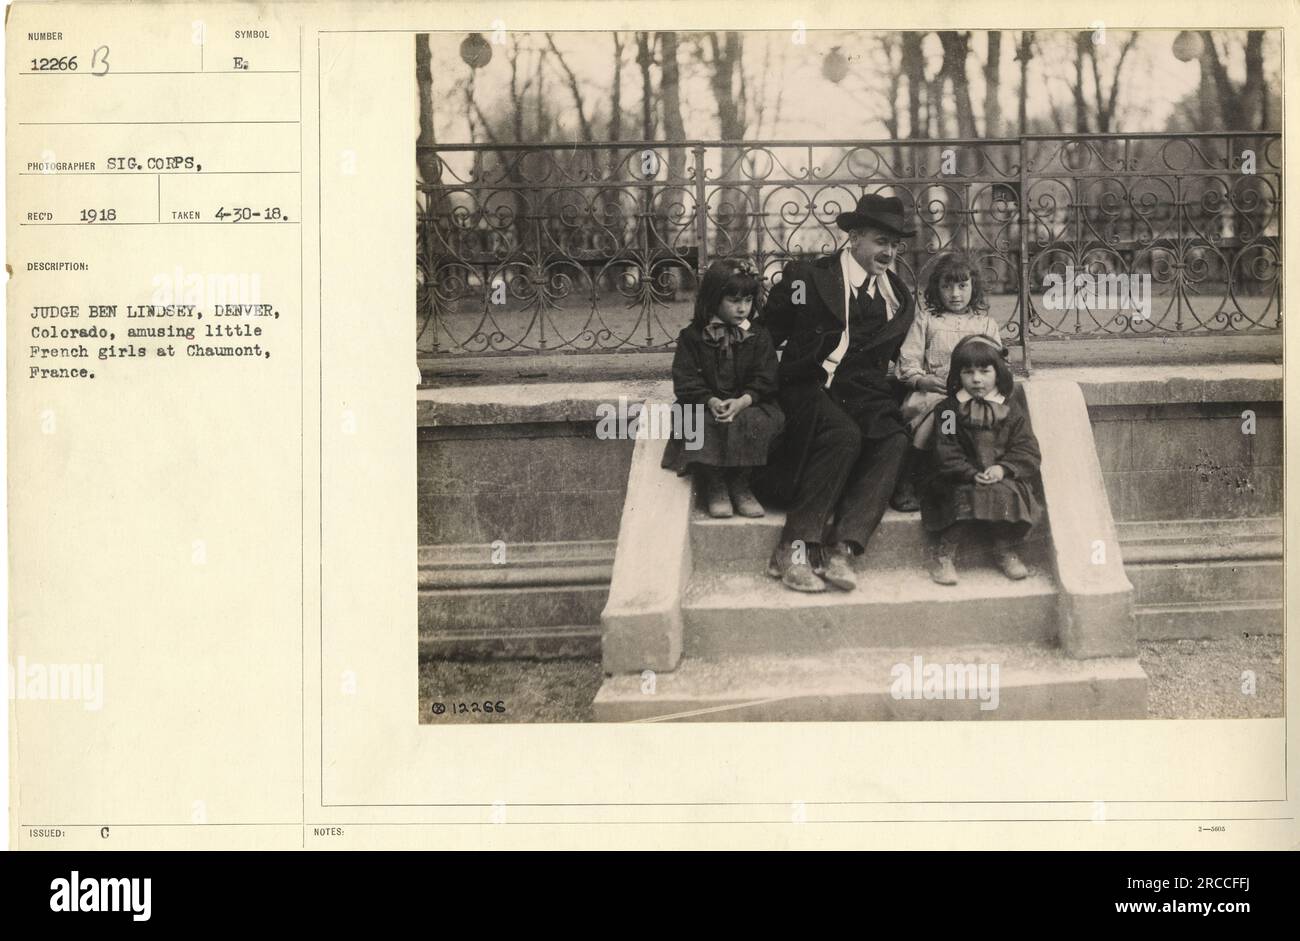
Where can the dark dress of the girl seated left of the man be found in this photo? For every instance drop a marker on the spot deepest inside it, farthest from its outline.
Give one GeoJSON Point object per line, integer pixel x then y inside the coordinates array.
{"type": "Point", "coordinates": [726, 363]}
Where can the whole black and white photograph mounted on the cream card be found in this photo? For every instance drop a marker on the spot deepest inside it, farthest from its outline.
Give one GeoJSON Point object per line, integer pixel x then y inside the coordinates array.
{"type": "Point", "coordinates": [850, 376]}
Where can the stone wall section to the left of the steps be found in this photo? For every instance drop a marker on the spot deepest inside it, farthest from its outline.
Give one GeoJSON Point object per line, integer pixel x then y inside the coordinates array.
{"type": "Point", "coordinates": [519, 508]}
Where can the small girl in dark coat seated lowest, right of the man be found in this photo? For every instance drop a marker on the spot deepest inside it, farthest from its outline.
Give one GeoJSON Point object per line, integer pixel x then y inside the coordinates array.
{"type": "Point", "coordinates": [986, 462]}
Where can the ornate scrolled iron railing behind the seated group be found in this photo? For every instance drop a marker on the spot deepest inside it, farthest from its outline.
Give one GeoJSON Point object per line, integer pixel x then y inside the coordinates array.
{"type": "Point", "coordinates": [597, 248]}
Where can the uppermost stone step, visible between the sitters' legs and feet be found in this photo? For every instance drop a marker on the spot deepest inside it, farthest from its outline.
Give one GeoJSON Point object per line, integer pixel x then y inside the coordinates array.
{"type": "Point", "coordinates": [742, 545]}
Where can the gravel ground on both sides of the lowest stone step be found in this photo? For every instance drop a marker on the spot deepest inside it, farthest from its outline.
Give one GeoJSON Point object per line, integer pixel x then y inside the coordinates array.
{"type": "Point", "coordinates": [1189, 680]}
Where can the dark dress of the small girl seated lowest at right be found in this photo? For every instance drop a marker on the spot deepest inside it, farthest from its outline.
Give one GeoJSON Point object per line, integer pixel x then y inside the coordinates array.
{"type": "Point", "coordinates": [986, 433]}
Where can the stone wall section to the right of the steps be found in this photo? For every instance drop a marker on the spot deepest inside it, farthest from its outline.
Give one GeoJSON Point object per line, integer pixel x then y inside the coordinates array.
{"type": "Point", "coordinates": [1193, 465]}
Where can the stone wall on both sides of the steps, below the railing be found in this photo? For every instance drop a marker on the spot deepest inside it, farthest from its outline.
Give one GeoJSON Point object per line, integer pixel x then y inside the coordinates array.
{"type": "Point", "coordinates": [1197, 502]}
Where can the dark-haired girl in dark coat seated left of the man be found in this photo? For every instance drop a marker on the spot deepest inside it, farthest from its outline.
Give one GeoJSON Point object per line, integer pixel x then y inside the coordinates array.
{"type": "Point", "coordinates": [727, 367]}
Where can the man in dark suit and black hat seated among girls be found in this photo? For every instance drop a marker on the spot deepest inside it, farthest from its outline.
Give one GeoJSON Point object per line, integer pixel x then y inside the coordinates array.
{"type": "Point", "coordinates": [842, 319]}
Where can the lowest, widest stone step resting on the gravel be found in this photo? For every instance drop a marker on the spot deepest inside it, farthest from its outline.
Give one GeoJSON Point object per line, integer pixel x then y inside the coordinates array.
{"type": "Point", "coordinates": [872, 684]}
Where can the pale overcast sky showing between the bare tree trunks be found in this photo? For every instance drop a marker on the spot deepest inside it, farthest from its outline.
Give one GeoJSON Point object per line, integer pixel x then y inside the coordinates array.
{"type": "Point", "coordinates": [782, 71]}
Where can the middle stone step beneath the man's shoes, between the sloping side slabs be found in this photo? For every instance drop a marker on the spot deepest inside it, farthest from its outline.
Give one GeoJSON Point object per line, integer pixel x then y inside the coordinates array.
{"type": "Point", "coordinates": [755, 614]}
